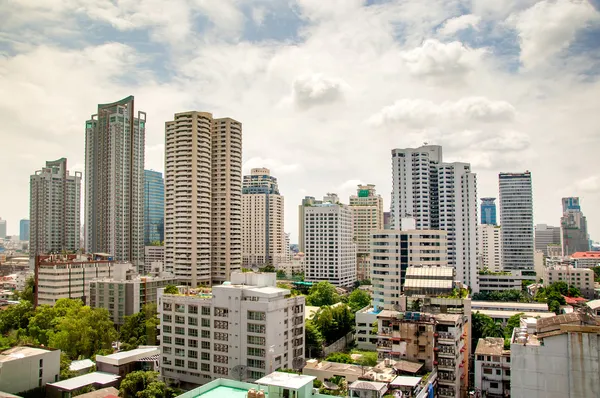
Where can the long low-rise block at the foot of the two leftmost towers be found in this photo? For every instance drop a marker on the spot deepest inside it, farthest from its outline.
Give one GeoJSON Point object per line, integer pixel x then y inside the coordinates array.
{"type": "Point", "coordinates": [68, 276]}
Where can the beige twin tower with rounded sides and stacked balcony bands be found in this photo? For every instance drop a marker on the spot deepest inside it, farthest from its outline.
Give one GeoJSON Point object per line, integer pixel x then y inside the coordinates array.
{"type": "Point", "coordinates": [203, 199]}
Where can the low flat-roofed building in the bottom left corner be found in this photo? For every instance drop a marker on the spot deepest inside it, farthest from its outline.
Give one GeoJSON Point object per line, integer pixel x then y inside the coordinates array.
{"type": "Point", "coordinates": [26, 368]}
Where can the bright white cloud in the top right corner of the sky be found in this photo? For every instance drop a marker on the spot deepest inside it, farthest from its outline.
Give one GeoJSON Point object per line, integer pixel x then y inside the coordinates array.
{"type": "Point", "coordinates": [549, 27]}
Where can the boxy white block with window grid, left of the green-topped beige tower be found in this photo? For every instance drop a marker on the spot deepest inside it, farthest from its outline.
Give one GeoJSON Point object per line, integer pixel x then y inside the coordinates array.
{"type": "Point", "coordinates": [330, 250]}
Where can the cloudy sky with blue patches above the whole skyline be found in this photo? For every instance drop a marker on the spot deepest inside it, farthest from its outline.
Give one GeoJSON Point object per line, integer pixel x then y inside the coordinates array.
{"type": "Point", "coordinates": [324, 89]}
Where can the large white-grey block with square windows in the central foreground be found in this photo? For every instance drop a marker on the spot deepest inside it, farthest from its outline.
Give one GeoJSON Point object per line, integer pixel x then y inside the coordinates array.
{"type": "Point", "coordinates": [243, 330]}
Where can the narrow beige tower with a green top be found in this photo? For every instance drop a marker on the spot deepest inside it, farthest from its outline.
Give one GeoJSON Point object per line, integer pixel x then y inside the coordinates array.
{"type": "Point", "coordinates": [367, 215]}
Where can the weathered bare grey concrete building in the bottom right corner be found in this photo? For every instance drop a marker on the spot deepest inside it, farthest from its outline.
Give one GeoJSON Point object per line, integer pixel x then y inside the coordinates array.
{"type": "Point", "coordinates": [558, 359]}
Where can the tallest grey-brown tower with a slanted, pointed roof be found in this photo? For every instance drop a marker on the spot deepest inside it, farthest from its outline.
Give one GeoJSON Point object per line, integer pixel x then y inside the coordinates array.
{"type": "Point", "coordinates": [114, 181]}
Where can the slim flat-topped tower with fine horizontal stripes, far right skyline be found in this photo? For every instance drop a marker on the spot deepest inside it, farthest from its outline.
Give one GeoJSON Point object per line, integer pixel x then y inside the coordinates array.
{"type": "Point", "coordinates": [516, 218]}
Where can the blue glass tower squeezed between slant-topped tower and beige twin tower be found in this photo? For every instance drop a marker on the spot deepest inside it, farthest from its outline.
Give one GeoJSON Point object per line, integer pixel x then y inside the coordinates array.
{"type": "Point", "coordinates": [154, 207]}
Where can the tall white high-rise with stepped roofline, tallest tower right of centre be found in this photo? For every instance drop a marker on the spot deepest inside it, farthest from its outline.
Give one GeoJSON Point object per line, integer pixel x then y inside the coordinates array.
{"type": "Point", "coordinates": [438, 196]}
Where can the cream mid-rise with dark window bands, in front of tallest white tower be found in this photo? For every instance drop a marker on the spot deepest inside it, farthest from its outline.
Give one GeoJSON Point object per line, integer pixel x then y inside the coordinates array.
{"type": "Point", "coordinates": [392, 252]}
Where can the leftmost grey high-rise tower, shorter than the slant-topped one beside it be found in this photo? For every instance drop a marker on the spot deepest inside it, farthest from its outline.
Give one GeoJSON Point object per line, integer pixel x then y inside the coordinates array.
{"type": "Point", "coordinates": [54, 209]}
